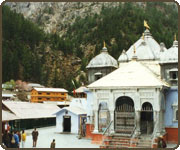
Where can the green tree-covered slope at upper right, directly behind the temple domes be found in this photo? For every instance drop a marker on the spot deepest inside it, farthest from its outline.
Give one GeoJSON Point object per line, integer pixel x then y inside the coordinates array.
{"type": "Point", "coordinates": [124, 23]}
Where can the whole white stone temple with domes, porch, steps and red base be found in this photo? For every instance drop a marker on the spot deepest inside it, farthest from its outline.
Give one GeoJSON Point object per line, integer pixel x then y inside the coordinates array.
{"type": "Point", "coordinates": [134, 100]}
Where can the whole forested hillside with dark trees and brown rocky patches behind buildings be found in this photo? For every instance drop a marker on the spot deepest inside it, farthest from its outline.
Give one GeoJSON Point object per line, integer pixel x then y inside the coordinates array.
{"type": "Point", "coordinates": [32, 55]}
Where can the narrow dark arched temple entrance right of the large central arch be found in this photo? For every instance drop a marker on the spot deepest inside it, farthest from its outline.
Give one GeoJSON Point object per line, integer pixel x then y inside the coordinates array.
{"type": "Point", "coordinates": [147, 118]}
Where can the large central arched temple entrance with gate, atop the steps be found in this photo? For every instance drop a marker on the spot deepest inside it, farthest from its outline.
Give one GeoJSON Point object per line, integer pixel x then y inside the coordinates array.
{"type": "Point", "coordinates": [124, 115]}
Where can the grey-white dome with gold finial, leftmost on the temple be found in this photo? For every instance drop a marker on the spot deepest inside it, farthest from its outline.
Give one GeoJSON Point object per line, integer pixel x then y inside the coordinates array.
{"type": "Point", "coordinates": [103, 60]}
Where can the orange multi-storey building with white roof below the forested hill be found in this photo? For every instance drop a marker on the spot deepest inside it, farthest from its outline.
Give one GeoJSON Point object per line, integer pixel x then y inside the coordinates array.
{"type": "Point", "coordinates": [48, 94]}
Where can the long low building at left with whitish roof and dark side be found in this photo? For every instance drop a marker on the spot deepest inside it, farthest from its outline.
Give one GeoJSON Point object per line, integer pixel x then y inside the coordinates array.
{"type": "Point", "coordinates": [25, 115]}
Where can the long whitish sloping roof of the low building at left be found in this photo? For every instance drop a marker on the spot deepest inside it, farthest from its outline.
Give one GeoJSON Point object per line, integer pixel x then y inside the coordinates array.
{"type": "Point", "coordinates": [26, 110]}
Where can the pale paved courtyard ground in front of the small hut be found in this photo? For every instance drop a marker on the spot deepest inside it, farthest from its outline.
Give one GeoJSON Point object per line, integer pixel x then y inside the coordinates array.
{"type": "Point", "coordinates": [46, 135]}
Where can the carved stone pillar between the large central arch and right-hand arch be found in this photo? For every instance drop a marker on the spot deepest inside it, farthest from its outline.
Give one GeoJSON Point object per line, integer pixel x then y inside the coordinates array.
{"type": "Point", "coordinates": [137, 122]}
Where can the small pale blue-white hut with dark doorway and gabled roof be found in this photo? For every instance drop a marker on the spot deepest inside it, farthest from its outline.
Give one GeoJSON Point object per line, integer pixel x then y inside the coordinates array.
{"type": "Point", "coordinates": [70, 119]}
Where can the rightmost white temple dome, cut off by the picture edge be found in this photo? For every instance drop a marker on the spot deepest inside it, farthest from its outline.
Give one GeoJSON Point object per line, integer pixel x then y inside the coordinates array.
{"type": "Point", "coordinates": [170, 55]}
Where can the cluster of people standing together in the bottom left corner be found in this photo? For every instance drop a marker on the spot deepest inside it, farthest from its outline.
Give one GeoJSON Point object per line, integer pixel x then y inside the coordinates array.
{"type": "Point", "coordinates": [13, 139]}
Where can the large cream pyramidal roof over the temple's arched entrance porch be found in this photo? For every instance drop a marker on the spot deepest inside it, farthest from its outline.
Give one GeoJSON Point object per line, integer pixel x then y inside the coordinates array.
{"type": "Point", "coordinates": [133, 74]}
